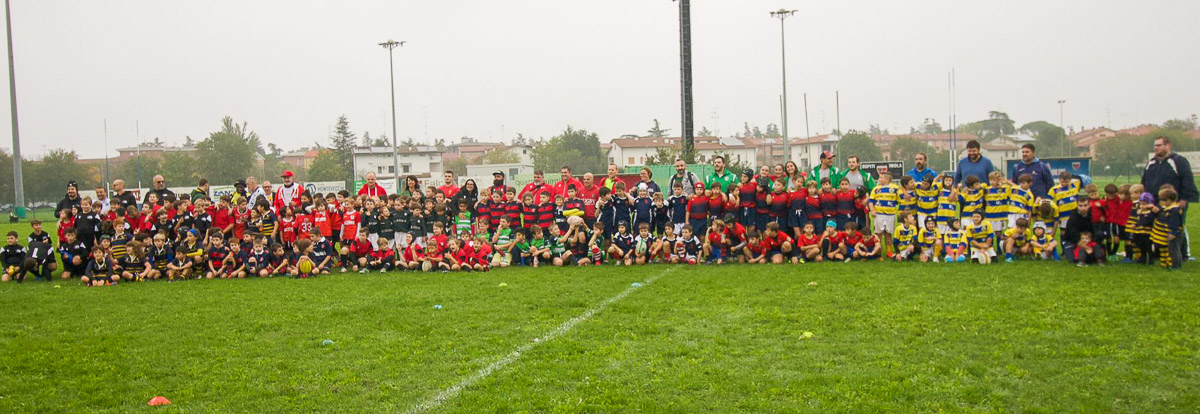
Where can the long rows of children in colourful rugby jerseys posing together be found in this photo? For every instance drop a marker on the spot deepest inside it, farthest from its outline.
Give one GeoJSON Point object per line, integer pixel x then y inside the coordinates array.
{"type": "Point", "coordinates": [759, 220]}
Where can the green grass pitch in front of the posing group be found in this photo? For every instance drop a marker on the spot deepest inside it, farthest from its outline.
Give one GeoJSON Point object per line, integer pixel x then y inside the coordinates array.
{"type": "Point", "coordinates": [885, 338]}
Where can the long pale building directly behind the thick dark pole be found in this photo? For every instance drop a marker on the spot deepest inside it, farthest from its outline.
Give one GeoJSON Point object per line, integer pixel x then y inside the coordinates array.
{"type": "Point", "coordinates": [635, 152]}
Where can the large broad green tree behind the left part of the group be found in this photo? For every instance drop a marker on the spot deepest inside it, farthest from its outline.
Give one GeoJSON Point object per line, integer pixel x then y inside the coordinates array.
{"type": "Point", "coordinates": [227, 155]}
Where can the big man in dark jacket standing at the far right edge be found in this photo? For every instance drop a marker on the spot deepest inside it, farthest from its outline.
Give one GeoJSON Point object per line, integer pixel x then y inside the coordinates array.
{"type": "Point", "coordinates": [1168, 167]}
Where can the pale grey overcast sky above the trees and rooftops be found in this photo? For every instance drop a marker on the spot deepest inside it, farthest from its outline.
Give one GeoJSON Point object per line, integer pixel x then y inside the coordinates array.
{"type": "Point", "coordinates": [495, 69]}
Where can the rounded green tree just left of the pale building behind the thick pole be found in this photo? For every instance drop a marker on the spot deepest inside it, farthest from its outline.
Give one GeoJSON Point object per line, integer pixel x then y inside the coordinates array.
{"type": "Point", "coordinates": [577, 148]}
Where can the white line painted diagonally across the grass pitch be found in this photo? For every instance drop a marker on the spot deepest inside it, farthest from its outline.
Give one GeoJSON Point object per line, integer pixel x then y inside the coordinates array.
{"type": "Point", "coordinates": [453, 392]}
